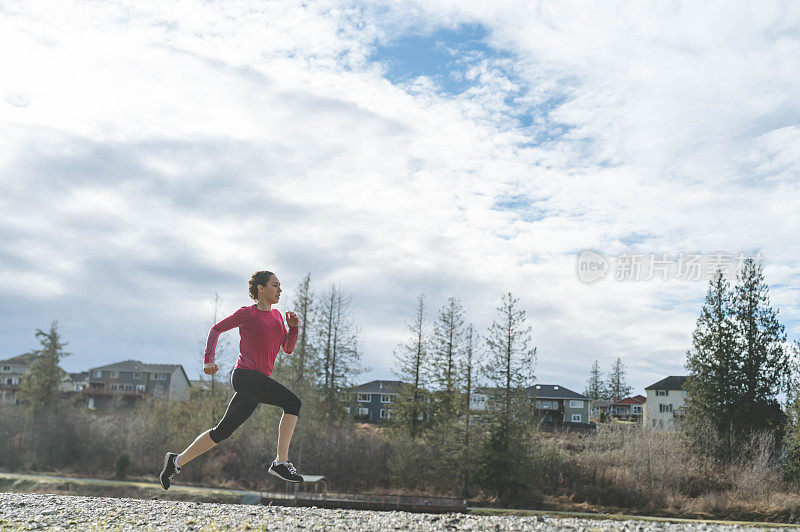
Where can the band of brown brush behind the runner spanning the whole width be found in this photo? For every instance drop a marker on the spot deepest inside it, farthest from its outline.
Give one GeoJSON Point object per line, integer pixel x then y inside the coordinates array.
{"type": "Point", "coordinates": [615, 469]}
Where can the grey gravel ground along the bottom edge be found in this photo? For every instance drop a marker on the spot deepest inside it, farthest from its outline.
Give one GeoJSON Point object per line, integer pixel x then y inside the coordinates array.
{"type": "Point", "coordinates": [25, 511]}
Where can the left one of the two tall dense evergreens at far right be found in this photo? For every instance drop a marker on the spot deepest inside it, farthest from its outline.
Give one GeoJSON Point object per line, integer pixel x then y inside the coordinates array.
{"type": "Point", "coordinates": [715, 381]}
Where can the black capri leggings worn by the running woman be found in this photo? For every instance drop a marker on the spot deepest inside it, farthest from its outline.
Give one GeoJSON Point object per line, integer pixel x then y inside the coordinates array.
{"type": "Point", "coordinates": [251, 388]}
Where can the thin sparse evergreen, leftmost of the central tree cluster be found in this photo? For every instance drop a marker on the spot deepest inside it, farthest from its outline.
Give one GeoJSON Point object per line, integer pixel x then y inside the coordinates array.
{"type": "Point", "coordinates": [410, 361]}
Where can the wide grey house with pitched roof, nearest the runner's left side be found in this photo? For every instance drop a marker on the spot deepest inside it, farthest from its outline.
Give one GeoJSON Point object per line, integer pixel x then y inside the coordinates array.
{"type": "Point", "coordinates": [125, 382]}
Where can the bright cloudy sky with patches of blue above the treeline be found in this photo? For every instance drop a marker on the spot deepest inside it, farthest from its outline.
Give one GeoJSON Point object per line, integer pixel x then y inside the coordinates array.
{"type": "Point", "coordinates": [155, 153]}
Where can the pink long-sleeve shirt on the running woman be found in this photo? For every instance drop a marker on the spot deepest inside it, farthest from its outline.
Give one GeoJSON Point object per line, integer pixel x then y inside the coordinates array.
{"type": "Point", "coordinates": [262, 335]}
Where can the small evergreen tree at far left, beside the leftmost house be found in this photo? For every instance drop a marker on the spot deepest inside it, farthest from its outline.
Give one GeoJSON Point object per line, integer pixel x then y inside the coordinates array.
{"type": "Point", "coordinates": [39, 387]}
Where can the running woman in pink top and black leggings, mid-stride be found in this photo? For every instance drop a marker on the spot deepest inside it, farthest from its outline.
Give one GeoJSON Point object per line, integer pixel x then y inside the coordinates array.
{"type": "Point", "coordinates": [263, 334]}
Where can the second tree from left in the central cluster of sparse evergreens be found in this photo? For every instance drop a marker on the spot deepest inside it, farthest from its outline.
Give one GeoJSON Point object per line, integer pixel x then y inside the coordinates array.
{"type": "Point", "coordinates": [445, 351]}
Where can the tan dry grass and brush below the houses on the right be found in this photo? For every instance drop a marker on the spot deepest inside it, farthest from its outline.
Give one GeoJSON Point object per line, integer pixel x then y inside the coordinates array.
{"type": "Point", "coordinates": [639, 470]}
